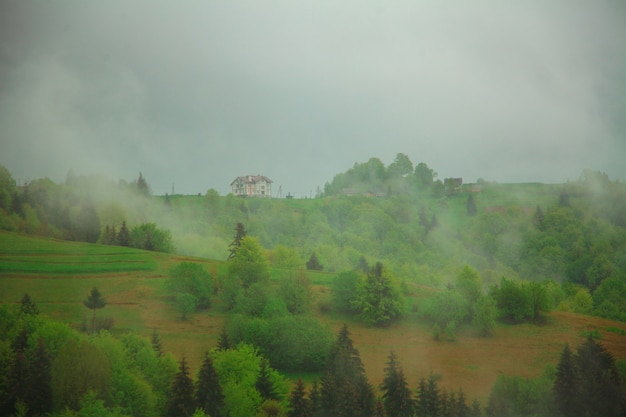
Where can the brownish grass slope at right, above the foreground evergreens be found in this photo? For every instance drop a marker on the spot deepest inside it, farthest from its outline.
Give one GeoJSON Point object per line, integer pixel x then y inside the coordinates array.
{"type": "Point", "coordinates": [473, 363]}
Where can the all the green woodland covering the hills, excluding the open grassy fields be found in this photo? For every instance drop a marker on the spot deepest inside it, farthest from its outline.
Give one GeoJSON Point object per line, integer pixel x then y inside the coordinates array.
{"type": "Point", "coordinates": [487, 254]}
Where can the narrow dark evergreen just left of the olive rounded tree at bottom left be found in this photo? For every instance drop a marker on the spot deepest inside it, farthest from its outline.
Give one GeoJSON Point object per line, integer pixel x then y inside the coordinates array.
{"type": "Point", "coordinates": [39, 393]}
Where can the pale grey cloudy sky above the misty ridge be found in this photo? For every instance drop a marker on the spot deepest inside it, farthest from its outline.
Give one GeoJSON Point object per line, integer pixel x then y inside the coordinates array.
{"type": "Point", "coordinates": [196, 93]}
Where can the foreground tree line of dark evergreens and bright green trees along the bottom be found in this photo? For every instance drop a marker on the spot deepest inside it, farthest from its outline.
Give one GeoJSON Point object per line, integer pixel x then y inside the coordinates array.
{"type": "Point", "coordinates": [49, 369]}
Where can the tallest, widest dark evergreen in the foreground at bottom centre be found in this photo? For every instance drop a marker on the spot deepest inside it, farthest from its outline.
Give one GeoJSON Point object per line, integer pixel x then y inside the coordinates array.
{"type": "Point", "coordinates": [345, 390]}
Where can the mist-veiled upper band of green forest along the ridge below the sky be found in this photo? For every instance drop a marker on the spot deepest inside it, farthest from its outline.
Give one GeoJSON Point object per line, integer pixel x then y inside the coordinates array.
{"type": "Point", "coordinates": [400, 215]}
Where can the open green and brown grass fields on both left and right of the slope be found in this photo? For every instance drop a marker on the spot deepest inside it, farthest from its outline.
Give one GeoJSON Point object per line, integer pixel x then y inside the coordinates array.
{"type": "Point", "coordinates": [58, 276]}
